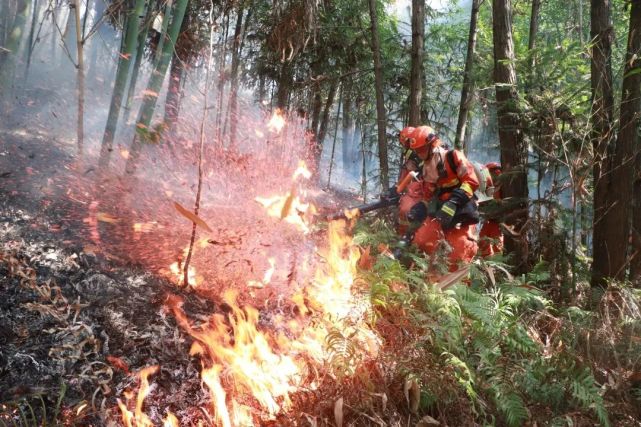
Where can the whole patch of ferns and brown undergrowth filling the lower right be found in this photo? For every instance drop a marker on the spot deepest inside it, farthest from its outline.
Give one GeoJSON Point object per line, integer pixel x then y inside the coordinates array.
{"type": "Point", "coordinates": [508, 353]}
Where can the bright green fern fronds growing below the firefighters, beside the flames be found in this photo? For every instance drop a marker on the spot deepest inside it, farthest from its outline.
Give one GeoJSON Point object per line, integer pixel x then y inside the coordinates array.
{"type": "Point", "coordinates": [491, 336]}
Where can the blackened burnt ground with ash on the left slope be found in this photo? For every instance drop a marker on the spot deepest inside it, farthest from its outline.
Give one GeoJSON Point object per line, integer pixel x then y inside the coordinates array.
{"type": "Point", "coordinates": [76, 323]}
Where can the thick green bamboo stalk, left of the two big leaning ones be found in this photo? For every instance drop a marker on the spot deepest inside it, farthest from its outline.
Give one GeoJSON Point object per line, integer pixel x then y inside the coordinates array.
{"type": "Point", "coordinates": [130, 39]}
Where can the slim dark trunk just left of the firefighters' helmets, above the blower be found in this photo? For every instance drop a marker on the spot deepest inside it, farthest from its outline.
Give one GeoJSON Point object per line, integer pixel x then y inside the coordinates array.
{"type": "Point", "coordinates": [380, 99]}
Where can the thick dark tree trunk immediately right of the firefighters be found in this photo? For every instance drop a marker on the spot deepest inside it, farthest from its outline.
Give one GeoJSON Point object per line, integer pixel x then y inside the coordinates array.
{"type": "Point", "coordinates": [513, 147]}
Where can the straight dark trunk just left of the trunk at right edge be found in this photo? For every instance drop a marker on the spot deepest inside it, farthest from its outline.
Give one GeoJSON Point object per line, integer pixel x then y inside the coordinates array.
{"type": "Point", "coordinates": [609, 248]}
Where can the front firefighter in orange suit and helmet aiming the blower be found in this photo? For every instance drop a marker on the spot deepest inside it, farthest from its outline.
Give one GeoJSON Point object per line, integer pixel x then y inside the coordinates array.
{"type": "Point", "coordinates": [448, 210]}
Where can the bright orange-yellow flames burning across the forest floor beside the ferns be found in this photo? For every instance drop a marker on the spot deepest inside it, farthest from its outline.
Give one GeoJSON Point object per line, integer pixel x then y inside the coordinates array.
{"type": "Point", "coordinates": [242, 360]}
